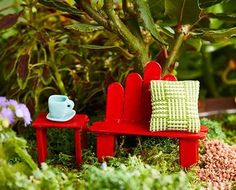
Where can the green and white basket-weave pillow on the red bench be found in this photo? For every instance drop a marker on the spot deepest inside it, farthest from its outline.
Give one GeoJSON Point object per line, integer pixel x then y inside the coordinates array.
{"type": "Point", "coordinates": [175, 106]}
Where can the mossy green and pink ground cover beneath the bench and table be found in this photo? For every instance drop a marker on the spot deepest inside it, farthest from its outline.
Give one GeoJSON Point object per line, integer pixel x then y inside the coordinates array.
{"type": "Point", "coordinates": [140, 163]}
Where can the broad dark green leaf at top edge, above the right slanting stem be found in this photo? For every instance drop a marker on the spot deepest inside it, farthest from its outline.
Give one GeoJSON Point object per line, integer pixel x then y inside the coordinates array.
{"type": "Point", "coordinates": [183, 11]}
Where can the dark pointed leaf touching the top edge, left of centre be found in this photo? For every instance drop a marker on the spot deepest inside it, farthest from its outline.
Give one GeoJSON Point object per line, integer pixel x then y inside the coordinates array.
{"type": "Point", "coordinates": [61, 6]}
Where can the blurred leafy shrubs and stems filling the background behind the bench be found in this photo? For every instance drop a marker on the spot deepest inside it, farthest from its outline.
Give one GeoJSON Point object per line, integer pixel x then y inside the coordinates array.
{"type": "Point", "coordinates": [78, 48]}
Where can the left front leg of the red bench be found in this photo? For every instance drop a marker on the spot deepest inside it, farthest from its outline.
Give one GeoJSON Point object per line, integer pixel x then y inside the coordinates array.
{"type": "Point", "coordinates": [105, 146]}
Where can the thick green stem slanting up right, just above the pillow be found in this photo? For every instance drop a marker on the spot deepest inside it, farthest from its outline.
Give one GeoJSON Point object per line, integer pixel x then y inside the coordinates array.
{"type": "Point", "coordinates": [174, 52]}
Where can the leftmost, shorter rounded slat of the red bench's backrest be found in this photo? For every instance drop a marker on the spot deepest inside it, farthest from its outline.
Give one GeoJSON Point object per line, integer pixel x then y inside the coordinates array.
{"type": "Point", "coordinates": [115, 101]}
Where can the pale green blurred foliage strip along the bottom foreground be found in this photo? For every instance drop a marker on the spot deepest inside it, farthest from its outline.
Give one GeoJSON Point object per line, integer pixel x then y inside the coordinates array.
{"type": "Point", "coordinates": [133, 174]}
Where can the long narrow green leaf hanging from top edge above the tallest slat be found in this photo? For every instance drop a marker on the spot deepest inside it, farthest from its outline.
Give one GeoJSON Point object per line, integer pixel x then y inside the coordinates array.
{"type": "Point", "coordinates": [145, 15]}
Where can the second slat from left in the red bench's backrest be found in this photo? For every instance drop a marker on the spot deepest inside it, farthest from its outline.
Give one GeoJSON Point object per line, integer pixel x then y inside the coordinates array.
{"type": "Point", "coordinates": [133, 94]}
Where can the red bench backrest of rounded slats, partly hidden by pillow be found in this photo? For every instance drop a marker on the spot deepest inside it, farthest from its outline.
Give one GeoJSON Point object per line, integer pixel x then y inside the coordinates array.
{"type": "Point", "coordinates": [133, 103]}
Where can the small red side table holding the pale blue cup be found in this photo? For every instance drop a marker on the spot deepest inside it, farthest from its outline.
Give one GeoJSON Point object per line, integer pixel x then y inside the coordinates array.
{"type": "Point", "coordinates": [79, 123]}
